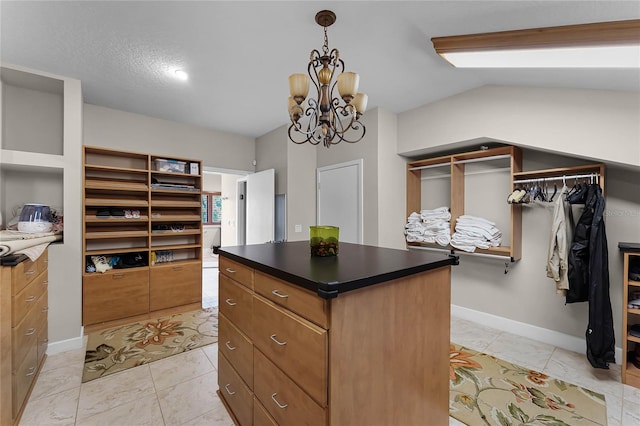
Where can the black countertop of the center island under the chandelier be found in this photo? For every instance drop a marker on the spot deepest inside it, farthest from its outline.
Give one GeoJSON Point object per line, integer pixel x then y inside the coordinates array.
{"type": "Point", "coordinates": [356, 265]}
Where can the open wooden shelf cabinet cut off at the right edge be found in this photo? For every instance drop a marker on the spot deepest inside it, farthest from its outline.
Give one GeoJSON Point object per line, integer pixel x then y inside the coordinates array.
{"type": "Point", "coordinates": [630, 316]}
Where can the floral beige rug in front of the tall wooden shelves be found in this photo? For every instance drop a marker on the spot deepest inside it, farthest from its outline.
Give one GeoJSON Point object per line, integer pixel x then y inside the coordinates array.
{"type": "Point", "coordinates": [116, 349]}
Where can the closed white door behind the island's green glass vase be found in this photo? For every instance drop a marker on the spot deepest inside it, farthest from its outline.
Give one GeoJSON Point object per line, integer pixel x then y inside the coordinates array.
{"type": "Point", "coordinates": [340, 199]}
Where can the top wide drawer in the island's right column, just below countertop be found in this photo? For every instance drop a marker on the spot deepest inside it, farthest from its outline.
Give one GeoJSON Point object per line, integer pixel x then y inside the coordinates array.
{"type": "Point", "coordinates": [299, 300]}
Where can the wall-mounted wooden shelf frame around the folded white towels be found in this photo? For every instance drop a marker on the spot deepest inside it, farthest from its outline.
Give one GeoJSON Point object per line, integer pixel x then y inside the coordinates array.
{"type": "Point", "coordinates": [456, 164]}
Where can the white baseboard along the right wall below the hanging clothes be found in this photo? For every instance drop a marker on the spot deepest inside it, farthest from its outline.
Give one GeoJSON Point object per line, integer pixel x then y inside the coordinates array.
{"type": "Point", "coordinates": [551, 337]}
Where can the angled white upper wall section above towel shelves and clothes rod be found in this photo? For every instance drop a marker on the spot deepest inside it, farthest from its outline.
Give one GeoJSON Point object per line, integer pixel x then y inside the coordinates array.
{"type": "Point", "coordinates": [592, 124]}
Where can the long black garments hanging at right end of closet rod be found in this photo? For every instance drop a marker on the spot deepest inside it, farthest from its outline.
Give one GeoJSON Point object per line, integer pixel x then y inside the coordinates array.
{"type": "Point", "coordinates": [589, 278]}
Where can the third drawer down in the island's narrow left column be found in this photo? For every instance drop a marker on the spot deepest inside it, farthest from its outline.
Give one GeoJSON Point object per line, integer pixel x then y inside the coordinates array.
{"type": "Point", "coordinates": [237, 348]}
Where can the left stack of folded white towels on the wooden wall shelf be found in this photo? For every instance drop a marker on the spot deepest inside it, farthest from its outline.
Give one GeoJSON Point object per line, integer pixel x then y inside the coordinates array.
{"type": "Point", "coordinates": [429, 226]}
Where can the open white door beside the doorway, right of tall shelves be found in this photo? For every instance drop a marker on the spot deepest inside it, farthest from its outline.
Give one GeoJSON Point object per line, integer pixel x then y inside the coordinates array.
{"type": "Point", "coordinates": [260, 207]}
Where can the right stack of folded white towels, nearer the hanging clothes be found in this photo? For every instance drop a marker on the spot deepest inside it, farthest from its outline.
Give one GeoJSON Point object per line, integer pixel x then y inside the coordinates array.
{"type": "Point", "coordinates": [475, 232]}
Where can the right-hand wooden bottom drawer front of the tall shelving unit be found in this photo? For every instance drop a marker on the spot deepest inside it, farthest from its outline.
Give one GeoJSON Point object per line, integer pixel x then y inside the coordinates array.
{"type": "Point", "coordinates": [175, 285]}
